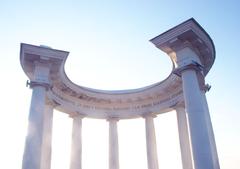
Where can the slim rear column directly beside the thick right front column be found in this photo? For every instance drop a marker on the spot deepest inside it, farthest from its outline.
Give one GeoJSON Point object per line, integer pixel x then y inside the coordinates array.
{"type": "Point", "coordinates": [183, 132]}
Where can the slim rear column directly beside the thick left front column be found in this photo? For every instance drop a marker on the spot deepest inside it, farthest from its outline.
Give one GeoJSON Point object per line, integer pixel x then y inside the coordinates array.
{"type": "Point", "coordinates": [47, 138]}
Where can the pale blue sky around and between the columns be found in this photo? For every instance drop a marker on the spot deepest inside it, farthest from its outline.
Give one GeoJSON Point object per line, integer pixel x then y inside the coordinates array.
{"type": "Point", "coordinates": [109, 49]}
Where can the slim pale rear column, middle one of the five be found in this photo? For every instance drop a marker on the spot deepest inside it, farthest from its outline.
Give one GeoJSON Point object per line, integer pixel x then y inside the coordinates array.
{"type": "Point", "coordinates": [113, 144]}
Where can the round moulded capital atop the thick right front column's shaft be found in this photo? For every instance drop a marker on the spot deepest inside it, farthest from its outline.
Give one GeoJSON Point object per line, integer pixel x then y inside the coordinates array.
{"type": "Point", "coordinates": [193, 66]}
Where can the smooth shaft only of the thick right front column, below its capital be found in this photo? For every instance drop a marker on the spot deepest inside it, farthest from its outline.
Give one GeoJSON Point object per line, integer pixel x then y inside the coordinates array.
{"type": "Point", "coordinates": [197, 122]}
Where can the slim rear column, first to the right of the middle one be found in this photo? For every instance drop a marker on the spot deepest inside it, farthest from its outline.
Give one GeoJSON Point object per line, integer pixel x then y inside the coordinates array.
{"type": "Point", "coordinates": [152, 156]}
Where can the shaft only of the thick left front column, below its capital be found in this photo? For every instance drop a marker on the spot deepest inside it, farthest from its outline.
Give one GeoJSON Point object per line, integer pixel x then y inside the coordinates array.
{"type": "Point", "coordinates": [33, 145]}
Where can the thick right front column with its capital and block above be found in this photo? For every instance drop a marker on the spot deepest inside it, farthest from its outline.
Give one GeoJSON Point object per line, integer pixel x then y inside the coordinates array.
{"type": "Point", "coordinates": [189, 68]}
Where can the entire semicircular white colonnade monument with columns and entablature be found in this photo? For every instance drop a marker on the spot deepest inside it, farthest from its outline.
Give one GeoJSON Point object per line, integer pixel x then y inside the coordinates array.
{"type": "Point", "coordinates": [192, 52]}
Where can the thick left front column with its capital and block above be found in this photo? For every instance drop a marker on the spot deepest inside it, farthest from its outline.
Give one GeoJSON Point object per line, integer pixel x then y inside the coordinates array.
{"type": "Point", "coordinates": [33, 145]}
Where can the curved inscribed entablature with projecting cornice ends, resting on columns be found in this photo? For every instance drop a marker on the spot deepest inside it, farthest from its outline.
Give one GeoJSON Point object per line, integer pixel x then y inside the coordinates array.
{"type": "Point", "coordinates": [157, 98]}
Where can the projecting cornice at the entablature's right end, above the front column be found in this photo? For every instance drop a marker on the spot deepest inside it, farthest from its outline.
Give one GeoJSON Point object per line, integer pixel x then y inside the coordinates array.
{"type": "Point", "coordinates": [187, 34]}
